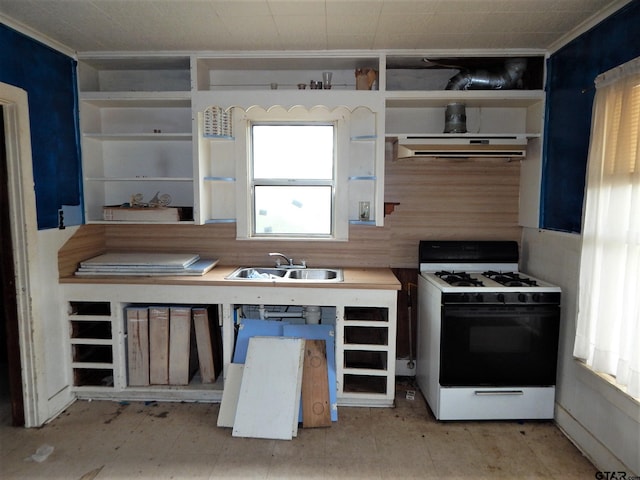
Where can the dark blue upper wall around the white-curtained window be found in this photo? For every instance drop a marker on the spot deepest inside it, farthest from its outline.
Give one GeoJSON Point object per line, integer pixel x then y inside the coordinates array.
{"type": "Point", "coordinates": [570, 92]}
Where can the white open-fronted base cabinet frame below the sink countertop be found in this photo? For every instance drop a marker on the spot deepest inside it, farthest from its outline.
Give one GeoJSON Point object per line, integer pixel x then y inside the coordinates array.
{"type": "Point", "coordinates": [365, 337]}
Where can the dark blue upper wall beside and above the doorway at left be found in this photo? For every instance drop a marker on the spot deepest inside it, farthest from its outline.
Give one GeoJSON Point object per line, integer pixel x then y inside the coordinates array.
{"type": "Point", "coordinates": [49, 77]}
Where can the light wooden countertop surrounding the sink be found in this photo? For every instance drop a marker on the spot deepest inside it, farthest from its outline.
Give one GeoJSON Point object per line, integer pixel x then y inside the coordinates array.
{"type": "Point", "coordinates": [365, 278]}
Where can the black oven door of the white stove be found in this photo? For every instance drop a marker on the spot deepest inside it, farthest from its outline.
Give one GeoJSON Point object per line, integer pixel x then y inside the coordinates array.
{"type": "Point", "coordinates": [499, 345]}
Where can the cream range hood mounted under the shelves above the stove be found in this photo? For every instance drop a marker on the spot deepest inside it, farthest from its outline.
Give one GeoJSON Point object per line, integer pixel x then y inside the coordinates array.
{"type": "Point", "coordinates": [462, 146]}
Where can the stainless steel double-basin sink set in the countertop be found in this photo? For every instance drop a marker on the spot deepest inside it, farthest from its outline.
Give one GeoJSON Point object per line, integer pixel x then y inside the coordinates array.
{"type": "Point", "coordinates": [257, 274]}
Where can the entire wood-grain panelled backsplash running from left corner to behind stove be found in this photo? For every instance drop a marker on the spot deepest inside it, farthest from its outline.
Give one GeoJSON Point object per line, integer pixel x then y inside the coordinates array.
{"type": "Point", "coordinates": [438, 199]}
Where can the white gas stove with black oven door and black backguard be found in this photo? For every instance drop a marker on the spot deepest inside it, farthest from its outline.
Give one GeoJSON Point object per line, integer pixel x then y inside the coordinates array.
{"type": "Point", "coordinates": [487, 333]}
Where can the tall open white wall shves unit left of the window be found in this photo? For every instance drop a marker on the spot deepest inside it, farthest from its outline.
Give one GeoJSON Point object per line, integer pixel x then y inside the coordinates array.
{"type": "Point", "coordinates": [135, 116]}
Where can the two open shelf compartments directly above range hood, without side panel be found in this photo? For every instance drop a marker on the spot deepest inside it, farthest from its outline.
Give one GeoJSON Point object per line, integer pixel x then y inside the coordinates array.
{"type": "Point", "coordinates": [417, 95]}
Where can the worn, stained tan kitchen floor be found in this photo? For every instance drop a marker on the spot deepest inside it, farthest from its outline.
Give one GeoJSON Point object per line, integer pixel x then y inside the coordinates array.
{"type": "Point", "coordinates": [110, 440]}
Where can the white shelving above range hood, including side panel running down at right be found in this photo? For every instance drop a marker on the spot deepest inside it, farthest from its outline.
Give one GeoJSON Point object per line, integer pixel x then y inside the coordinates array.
{"type": "Point", "coordinates": [416, 99]}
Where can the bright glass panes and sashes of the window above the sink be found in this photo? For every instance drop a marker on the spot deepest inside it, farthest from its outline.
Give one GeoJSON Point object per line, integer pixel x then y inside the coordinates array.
{"type": "Point", "coordinates": [293, 179]}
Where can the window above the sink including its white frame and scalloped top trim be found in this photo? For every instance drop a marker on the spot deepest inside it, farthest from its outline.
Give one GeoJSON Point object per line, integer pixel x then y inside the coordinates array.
{"type": "Point", "coordinates": [293, 181]}
